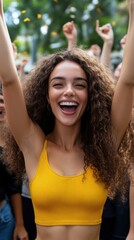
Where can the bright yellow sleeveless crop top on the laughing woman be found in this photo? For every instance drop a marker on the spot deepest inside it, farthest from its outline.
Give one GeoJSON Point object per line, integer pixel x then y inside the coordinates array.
{"type": "Point", "coordinates": [65, 200]}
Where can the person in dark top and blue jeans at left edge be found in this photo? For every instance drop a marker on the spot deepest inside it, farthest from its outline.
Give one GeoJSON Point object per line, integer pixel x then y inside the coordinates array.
{"type": "Point", "coordinates": [11, 217]}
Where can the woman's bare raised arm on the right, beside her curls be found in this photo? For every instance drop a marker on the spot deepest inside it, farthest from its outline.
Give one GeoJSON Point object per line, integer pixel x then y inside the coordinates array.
{"type": "Point", "coordinates": [124, 92]}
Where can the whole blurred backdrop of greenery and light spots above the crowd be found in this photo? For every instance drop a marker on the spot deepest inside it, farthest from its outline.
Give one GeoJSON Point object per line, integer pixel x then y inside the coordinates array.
{"type": "Point", "coordinates": [35, 26]}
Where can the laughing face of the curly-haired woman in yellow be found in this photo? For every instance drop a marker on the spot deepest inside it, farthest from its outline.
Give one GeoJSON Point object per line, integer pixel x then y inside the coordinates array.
{"type": "Point", "coordinates": [67, 92]}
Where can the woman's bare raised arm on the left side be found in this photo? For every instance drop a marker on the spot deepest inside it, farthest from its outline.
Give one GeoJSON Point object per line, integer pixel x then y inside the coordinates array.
{"type": "Point", "coordinates": [18, 119]}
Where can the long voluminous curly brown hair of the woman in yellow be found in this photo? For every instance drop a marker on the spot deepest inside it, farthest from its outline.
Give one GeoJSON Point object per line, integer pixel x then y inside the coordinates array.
{"type": "Point", "coordinates": [96, 129]}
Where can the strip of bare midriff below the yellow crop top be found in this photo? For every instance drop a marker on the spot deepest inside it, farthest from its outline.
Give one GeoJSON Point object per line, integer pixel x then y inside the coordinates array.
{"type": "Point", "coordinates": [68, 232]}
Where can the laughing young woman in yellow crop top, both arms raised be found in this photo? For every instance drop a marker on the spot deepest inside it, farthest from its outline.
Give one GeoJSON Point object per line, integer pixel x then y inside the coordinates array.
{"type": "Point", "coordinates": [68, 125]}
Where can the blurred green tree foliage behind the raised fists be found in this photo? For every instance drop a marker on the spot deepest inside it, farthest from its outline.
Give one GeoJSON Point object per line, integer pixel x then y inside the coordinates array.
{"type": "Point", "coordinates": [35, 13]}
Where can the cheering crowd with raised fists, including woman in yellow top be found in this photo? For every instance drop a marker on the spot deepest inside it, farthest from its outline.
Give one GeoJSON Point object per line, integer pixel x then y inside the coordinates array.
{"type": "Point", "coordinates": [66, 140]}
